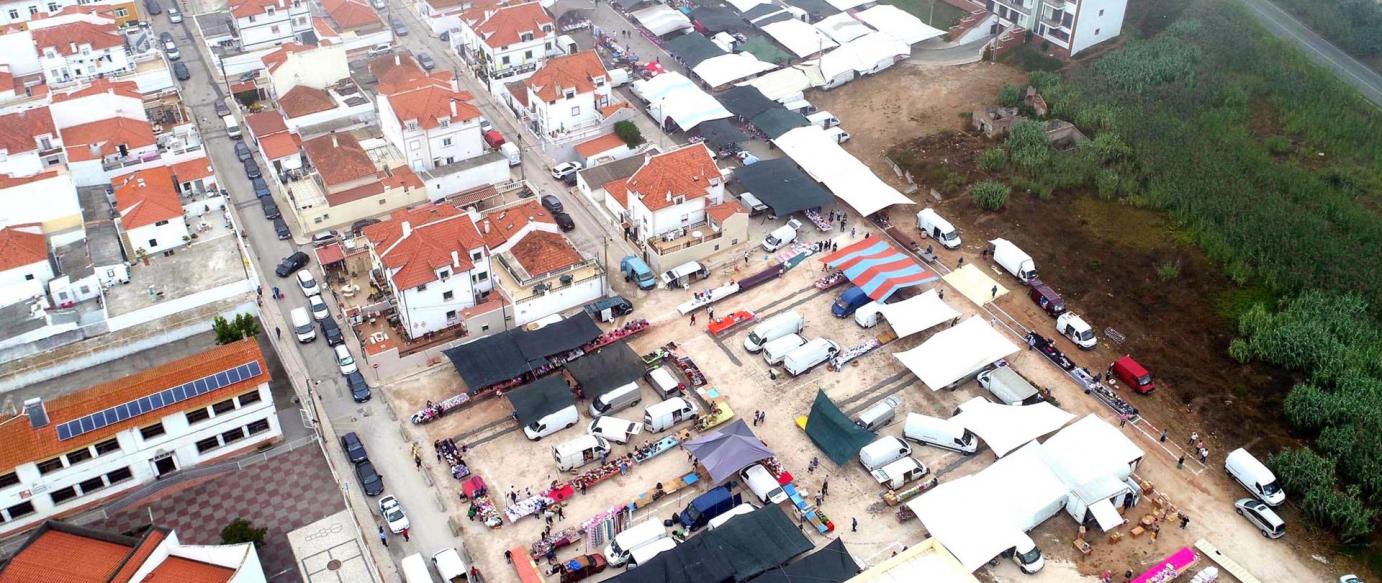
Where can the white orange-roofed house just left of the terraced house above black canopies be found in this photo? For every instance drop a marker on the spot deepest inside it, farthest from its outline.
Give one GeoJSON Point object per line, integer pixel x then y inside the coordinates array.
{"type": "Point", "coordinates": [436, 265]}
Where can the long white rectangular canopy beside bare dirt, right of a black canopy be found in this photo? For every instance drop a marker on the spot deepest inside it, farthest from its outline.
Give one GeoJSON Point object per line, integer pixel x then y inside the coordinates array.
{"type": "Point", "coordinates": [823, 158]}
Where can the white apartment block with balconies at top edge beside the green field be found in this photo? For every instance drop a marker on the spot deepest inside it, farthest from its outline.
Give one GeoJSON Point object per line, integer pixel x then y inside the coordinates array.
{"type": "Point", "coordinates": [1069, 26]}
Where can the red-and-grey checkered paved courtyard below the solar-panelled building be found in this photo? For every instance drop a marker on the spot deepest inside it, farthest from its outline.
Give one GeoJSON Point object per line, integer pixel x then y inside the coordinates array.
{"type": "Point", "coordinates": [284, 494]}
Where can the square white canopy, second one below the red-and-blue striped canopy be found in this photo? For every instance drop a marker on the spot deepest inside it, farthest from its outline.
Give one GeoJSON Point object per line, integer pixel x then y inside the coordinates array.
{"type": "Point", "coordinates": [954, 354]}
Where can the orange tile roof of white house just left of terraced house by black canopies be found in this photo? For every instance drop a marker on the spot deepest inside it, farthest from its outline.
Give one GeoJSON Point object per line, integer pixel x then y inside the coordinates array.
{"type": "Point", "coordinates": [435, 233]}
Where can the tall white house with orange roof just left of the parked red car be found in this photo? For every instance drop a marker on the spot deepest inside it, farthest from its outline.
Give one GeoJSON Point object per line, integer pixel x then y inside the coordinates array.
{"type": "Point", "coordinates": [426, 117]}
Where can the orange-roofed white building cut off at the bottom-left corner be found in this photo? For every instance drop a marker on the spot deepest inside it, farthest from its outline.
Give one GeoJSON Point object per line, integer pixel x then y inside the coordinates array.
{"type": "Point", "coordinates": [155, 556]}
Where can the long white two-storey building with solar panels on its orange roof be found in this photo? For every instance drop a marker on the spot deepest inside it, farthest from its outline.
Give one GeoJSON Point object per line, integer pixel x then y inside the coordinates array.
{"type": "Point", "coordinates": [73, 452]}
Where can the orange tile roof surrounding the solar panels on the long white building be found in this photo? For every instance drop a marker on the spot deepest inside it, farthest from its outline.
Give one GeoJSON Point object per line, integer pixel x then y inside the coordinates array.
{"type": "Point", "coordinates": [21, 444]}
